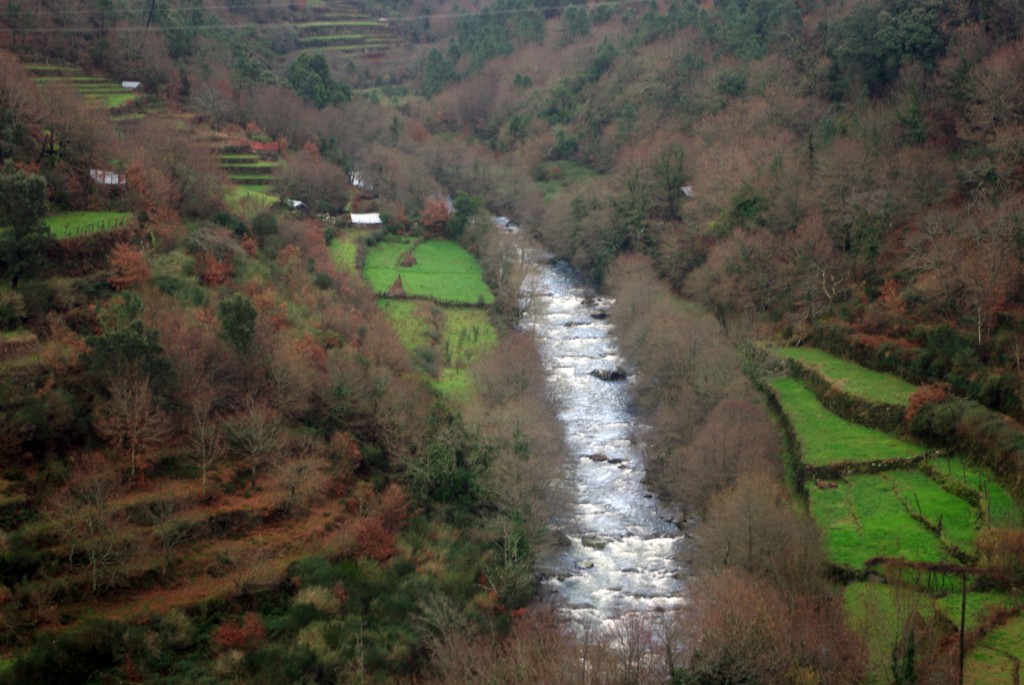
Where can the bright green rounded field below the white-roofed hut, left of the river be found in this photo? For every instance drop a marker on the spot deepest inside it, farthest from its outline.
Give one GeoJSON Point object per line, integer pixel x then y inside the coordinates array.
{"type": "Point", "coordinates": [444, 272]}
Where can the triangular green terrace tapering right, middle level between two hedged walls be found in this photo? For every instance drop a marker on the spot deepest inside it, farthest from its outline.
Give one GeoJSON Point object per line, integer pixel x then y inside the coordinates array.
{"type": "Point", "coordinates": [826, 439]}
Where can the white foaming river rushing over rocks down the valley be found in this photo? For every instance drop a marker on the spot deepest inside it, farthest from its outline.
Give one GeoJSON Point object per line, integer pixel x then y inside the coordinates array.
{"type": "Point", "coordinates": [622, 552]}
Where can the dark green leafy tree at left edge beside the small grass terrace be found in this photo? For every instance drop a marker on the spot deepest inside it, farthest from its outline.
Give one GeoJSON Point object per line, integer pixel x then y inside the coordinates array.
{"type": "Point", "coordinates": [24, 237]}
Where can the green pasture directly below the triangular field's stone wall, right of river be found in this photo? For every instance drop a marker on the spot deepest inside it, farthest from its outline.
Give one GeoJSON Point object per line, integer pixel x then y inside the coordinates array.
{"type": "Point", "coordinates": [864, 518]}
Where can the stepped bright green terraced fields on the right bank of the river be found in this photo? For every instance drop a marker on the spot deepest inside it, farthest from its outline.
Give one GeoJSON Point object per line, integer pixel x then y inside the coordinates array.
{"type": "Point", "coordinates": [928, 512]}
